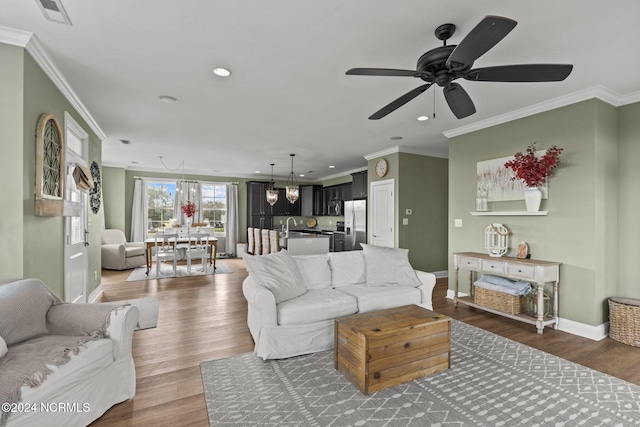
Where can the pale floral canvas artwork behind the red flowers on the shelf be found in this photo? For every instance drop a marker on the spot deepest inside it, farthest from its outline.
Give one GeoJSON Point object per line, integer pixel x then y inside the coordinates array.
{"type": "Point", "coordinates": [497, 180]}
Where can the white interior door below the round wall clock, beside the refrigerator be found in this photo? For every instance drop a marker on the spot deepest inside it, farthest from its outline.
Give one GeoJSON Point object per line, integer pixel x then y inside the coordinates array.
{"type": "Point", "coordinates": [382, 213]}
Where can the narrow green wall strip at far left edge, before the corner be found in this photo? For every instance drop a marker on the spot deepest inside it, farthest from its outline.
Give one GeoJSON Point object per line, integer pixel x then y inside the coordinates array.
{"type": "Point", "coordinates": [12, 170]}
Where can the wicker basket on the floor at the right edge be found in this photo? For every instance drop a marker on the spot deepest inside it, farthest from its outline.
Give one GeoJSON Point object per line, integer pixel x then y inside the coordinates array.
{"type": "Point", "coordinates": [624, 320]}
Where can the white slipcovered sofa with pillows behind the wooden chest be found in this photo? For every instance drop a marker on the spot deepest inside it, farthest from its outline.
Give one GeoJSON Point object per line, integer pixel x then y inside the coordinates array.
{"type": "Point", "coordinates": [294, 300]}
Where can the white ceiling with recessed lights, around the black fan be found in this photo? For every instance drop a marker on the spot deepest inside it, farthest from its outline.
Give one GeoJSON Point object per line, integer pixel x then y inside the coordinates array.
{"type": "Point", "coordinates": [289, 93]}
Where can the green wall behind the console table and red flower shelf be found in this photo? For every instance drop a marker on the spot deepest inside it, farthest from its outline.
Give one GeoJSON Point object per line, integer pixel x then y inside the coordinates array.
{"type": "Point", "coordinates": [580, 230]}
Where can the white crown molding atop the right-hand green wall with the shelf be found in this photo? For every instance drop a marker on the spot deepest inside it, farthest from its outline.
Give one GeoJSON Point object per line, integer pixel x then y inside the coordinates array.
{"type": "Point", "coordinates": [599, 92]}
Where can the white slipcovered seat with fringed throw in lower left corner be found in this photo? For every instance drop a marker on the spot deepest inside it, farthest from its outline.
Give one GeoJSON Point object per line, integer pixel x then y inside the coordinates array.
{"type": "Point", "coordinates": [76, 392]}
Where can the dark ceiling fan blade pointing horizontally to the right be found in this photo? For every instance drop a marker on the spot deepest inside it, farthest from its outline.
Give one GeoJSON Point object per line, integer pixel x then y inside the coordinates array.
{"type": "Point", "coordinates": [521, 73]}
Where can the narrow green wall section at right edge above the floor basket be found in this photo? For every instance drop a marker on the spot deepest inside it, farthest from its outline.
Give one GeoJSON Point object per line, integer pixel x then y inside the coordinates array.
{"type": "Point", "coordinates": [628, 200]}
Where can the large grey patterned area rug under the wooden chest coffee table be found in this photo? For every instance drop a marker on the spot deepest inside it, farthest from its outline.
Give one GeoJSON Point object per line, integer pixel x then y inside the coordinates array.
{"type": "Point", "coordinates": [493, 381]}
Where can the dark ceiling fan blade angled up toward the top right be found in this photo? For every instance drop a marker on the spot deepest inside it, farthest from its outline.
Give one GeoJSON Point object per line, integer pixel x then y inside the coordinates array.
{"type": "Point", "coordinates": [483, 37]}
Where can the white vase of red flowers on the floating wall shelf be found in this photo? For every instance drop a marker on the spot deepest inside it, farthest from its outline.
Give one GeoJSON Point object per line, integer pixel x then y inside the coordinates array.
{"type": "Point", "coordinates": [534, 171]}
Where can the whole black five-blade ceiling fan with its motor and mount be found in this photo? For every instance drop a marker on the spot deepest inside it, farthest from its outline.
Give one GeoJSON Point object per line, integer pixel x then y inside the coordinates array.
{"type": "Point", "coordinates": [447, 63]}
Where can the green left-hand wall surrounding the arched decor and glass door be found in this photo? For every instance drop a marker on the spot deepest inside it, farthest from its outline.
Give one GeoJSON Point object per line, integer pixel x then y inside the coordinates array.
{"type": "Point", "coordinates": [33, 246]}
